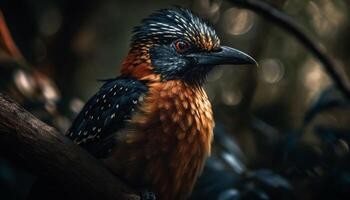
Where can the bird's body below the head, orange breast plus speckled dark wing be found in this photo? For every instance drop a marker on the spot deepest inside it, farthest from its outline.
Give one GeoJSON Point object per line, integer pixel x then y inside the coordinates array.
{"type": "Point", "coordinates": [153, 134]}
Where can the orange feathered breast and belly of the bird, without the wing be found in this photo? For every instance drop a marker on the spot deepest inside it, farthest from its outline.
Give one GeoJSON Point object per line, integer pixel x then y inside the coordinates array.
{"type": "Point", "coordinates": [168, 140]}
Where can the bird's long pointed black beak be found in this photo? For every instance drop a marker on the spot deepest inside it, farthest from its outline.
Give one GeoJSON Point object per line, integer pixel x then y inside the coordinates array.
{"type": "Point", "coordinates": [223, 56]}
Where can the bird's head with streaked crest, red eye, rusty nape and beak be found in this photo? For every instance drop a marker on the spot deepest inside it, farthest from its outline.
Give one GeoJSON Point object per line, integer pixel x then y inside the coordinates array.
{"type": "Point", "coordinates": [176, 44]}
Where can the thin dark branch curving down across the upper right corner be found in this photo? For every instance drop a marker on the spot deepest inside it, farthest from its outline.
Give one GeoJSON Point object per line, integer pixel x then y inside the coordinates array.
{"type": "Point", "coordinates": [286, 23]}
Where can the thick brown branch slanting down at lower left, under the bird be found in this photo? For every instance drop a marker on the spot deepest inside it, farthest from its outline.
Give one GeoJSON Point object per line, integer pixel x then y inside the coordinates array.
{"type": "Point", "coordinates": [42, 150]}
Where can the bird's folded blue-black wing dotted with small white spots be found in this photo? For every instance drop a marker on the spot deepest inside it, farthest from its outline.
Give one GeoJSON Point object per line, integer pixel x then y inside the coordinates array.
{"type": "Point", "coordinates": [106, 113]}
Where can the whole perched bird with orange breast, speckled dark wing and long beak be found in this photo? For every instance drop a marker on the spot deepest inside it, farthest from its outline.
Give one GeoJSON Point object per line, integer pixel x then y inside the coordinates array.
{"type": "Point", "coordinates": [153, 125]}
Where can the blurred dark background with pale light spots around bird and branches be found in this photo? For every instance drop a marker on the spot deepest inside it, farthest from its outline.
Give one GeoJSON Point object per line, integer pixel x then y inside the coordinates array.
{"type": "Point", "coordinates": [282, 131]}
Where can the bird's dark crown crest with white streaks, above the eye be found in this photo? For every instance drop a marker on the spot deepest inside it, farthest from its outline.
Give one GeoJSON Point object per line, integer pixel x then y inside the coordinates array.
{"type": "Point", "coordinates": [168, 25]}
